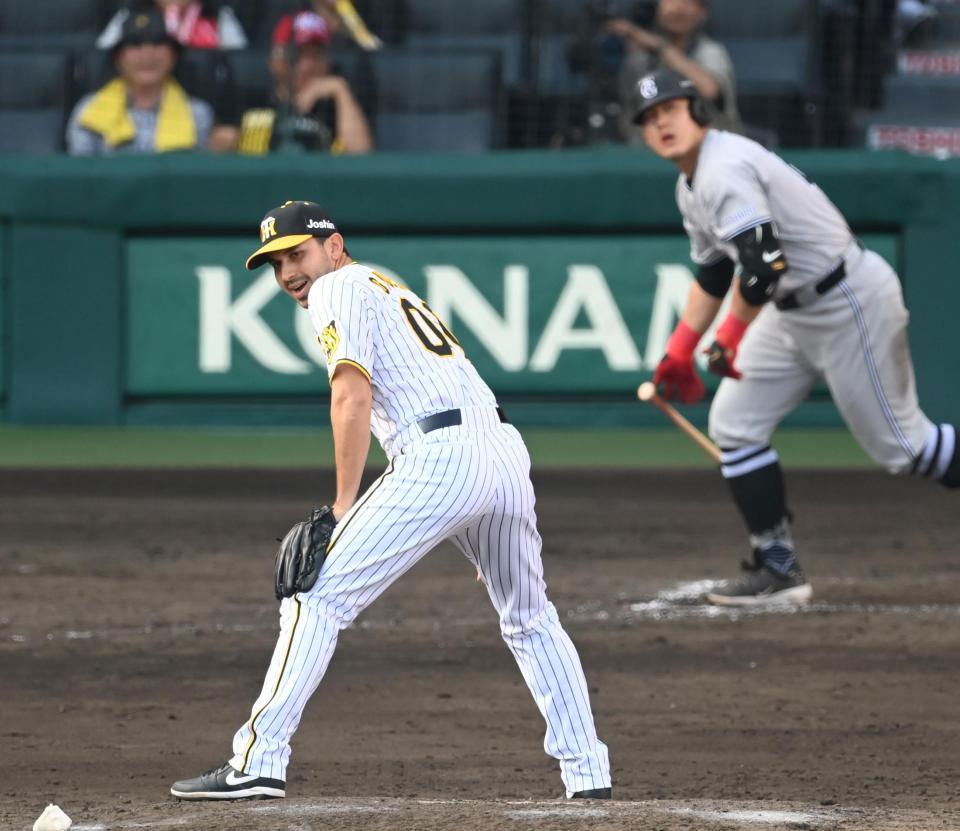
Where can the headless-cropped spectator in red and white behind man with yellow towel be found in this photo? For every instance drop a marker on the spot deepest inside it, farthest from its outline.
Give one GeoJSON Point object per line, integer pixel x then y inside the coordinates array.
{"type": "Point", "coordinates": [193, 24]}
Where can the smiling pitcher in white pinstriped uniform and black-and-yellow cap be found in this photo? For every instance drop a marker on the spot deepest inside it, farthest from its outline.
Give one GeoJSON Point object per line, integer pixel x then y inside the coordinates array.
{"type": "Point", "coordinates": [458, 470]}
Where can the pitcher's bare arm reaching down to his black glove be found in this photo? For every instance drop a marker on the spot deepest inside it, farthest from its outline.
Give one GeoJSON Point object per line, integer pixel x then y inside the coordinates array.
{"type": "Point", "coordinates": [350, 404]}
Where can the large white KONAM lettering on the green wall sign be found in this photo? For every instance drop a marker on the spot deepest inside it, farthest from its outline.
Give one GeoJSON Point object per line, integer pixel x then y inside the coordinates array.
{"type": "Point", "coordinates": [226, 322]}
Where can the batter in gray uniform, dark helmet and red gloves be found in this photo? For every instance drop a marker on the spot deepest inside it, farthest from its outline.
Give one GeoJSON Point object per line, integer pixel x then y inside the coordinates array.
{"type": "Point", "coordinates": [809, 303]}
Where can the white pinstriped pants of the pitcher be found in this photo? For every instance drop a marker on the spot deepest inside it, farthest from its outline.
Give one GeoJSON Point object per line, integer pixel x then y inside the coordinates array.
{"type": "Point", "coordinates": [470, 484]}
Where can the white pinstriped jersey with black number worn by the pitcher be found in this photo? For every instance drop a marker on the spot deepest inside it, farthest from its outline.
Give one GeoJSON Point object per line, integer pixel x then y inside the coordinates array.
{"type": "Point", "coordinates": [414, 363]}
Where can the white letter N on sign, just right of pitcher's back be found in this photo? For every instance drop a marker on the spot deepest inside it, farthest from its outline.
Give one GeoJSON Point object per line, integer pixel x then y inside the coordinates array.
{"type": "Point", "coordinates": [450, 292]}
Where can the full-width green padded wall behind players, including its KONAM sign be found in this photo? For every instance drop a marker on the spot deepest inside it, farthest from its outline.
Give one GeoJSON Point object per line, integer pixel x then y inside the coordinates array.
{"type": "Point", "coordinates": [124, 297]}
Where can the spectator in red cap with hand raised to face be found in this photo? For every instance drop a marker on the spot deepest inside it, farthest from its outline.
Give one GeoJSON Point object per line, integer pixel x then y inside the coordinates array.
{"type": "Point", "coordinates": [310, 108]}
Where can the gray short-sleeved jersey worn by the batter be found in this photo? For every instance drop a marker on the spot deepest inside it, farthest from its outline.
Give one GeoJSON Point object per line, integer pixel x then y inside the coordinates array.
{"type": "Point", "coordinates": [739, 185]}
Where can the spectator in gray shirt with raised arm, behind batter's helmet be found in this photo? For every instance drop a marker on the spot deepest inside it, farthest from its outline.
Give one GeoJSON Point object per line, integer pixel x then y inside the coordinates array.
{"type": "Point", "coordinates": [676, 41]}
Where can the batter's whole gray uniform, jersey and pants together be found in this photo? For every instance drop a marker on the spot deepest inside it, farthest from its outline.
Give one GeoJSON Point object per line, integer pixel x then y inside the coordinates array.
{"type": "Point", "coordinates": [853, 336]}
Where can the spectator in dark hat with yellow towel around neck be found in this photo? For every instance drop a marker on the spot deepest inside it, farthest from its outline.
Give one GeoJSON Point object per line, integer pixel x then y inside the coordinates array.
{"type": "Point", "coordinates": [143, 109]}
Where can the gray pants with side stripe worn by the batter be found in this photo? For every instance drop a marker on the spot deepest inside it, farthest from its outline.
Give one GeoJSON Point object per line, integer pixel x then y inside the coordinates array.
{"type": "Point", "coordinates": [855, 338]}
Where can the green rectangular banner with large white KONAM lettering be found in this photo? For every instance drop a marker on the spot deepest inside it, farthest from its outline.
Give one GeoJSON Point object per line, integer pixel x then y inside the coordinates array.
{"type": "Point", "coordinates": [573, 316]}
